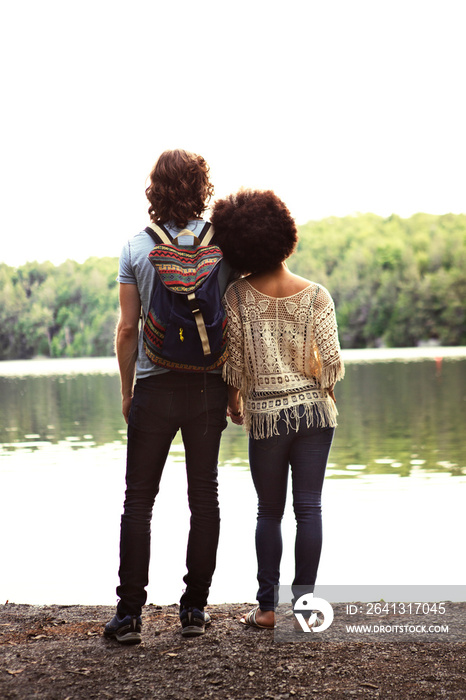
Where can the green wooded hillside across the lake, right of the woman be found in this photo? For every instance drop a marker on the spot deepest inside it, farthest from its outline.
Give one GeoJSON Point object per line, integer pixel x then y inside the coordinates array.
{"type": "Point", "coordinates": [395, 282]}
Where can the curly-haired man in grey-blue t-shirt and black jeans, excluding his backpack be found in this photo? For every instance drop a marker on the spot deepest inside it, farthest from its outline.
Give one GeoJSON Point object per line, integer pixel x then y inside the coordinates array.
{"type": "Point", "coordinates": [161, 402]}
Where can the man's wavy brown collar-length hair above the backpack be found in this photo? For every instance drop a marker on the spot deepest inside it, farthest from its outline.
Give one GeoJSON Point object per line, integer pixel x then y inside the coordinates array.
{"type": "Point", "coordinates": [179, 188]}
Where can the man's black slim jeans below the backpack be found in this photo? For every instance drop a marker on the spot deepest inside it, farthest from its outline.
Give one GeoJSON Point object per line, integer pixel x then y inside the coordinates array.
{"type": "Point", "coordinates": [162, 404]}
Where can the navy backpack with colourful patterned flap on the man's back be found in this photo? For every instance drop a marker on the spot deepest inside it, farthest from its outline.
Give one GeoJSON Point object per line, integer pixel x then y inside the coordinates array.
{"type": "Point", "coordinates": [185, 328]}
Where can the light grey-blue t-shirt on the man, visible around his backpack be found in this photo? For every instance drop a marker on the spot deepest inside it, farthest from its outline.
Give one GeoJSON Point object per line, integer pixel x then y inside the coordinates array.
{"type": "Point", "coordinates": [135, 268]}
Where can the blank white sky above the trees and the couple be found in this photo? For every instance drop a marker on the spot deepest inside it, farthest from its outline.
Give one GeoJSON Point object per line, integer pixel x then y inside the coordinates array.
{"type": "Point", "coordinates": [340, 106]}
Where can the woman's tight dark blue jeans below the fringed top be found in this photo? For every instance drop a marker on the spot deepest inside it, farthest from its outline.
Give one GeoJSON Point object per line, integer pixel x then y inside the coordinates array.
{"type": "Point", "coordinates": [306, 451]}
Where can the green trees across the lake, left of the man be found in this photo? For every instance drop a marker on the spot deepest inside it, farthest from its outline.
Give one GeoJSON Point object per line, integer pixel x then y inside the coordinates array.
{"type": "Point", "coordinates": [69, 310]}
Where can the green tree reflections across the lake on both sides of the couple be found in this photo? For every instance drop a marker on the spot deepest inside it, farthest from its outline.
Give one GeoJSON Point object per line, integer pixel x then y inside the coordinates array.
{"type": "Point", "coordinates": [395, 418]}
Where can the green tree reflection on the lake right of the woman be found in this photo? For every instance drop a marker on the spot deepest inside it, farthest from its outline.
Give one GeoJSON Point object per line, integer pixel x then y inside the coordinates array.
{"type": "Point", "coordinates": [401, 417]}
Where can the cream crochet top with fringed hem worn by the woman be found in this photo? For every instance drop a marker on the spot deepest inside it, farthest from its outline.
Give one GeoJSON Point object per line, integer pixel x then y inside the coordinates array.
{"type": "Point", "coordinates": [283, 355]}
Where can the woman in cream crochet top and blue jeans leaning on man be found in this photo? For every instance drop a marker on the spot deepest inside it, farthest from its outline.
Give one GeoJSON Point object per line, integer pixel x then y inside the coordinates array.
{"type": "Point", "coordinates": [284, 360]}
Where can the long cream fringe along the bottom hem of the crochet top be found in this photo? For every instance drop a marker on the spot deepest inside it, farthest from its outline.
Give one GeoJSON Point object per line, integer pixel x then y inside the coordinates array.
{"type": "Point", "coordinates": [320, 414]}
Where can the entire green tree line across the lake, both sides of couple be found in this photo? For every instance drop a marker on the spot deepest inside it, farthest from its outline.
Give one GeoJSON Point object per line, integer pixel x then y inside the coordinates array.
{"type": "Point", "coordinates": [395, 282]}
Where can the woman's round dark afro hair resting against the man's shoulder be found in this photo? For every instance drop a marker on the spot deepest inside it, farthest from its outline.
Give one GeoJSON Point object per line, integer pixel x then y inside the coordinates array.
{"type": "Point", "coordinates": [254, 229]}
